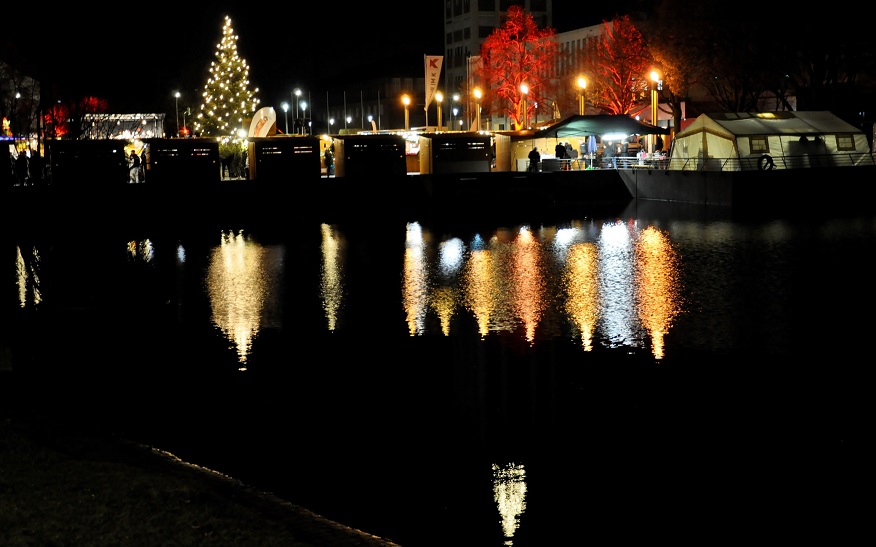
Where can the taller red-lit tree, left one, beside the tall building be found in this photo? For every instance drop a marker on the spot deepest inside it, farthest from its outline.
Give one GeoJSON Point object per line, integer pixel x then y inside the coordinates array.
{"type": "Point", "coordinates": [517, 53]}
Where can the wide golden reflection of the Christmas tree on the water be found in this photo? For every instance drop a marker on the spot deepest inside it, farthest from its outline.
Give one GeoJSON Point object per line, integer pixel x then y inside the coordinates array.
{"type": "Point", "coordinates": [242, 282]}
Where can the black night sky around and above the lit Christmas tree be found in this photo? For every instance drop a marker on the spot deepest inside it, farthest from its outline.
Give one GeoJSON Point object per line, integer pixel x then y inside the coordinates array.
{"type": "Point", "coordinates": [136, 56]}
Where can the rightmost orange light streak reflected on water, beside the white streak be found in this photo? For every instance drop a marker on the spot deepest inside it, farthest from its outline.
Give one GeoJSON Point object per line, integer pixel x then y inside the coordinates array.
{"type": "Point", "coordinates": [657, 285]}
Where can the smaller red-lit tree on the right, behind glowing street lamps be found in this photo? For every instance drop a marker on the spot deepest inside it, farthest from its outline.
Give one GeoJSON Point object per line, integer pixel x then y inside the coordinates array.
{"type": "Point", "coordinates": [621, 65]}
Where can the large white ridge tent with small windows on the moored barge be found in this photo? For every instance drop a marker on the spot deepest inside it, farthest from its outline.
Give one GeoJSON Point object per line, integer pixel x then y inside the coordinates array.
{"type": "Point", "coordinates": [769, 140]}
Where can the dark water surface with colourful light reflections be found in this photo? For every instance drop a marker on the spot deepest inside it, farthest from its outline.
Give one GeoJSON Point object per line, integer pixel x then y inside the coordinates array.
{"type": "Point", "coordinates": [664, 373]}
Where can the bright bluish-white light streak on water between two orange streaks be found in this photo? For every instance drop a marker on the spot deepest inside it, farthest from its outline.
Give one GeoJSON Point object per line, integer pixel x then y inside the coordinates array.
{"type": "Point", "coordinates": [616, 284]}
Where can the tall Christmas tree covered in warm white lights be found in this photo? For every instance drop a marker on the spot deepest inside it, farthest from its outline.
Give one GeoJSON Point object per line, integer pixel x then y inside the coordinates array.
{"type": "Point", "coordinates": [228, 101]}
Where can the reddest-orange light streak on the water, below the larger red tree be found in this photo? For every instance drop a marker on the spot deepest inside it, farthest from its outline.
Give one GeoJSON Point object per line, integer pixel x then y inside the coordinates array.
{"type": "Point", "coordinates": [528, 282]}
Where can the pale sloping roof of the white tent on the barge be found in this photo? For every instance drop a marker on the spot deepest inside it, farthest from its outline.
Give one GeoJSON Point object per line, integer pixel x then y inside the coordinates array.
{"type": "Point", "coordinates": [773, 123]}
